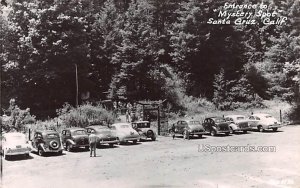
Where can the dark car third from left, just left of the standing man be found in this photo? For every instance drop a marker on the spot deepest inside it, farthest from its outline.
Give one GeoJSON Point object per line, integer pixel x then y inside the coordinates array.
{"type": "Point", "coordinates": [75, 137]}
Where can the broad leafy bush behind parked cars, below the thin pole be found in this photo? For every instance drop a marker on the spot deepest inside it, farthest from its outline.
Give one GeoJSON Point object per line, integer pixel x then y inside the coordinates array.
{"type": "Point", "coordinates": [84, 115]}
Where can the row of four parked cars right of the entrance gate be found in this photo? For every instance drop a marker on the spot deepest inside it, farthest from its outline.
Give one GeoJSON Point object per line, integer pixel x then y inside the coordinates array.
{"type": "Point", "coordinates": [225, 125]}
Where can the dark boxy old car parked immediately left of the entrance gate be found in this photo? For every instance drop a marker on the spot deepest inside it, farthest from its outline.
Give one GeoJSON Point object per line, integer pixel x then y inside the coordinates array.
{"type": "Point", "coordinates": [144, 130]}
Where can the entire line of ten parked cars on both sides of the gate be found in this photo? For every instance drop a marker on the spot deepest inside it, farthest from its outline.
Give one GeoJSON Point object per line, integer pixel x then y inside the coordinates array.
{"type": "Point", "coordinates": [50, 141]}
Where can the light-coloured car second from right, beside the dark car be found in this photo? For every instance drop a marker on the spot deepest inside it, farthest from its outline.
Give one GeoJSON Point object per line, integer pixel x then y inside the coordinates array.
{"type": "Point", "coordinates": [238, 123]}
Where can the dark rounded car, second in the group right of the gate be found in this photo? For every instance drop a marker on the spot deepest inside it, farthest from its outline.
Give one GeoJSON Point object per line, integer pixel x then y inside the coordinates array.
{"type": "Point", "coordinates": [216, 125]}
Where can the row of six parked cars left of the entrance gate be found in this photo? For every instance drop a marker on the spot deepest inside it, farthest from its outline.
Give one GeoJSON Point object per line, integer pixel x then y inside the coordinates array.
{"type": "Point", "coordinates": [50, 141]}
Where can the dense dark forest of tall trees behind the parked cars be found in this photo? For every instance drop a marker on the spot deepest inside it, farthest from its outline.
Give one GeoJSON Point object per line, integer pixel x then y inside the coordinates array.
{"type": "Point", "coordinates": [228, 53]}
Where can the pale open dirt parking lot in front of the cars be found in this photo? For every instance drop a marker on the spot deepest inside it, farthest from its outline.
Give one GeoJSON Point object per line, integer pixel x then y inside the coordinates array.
{"type": "Point", "coordinates": [167, 163]}
